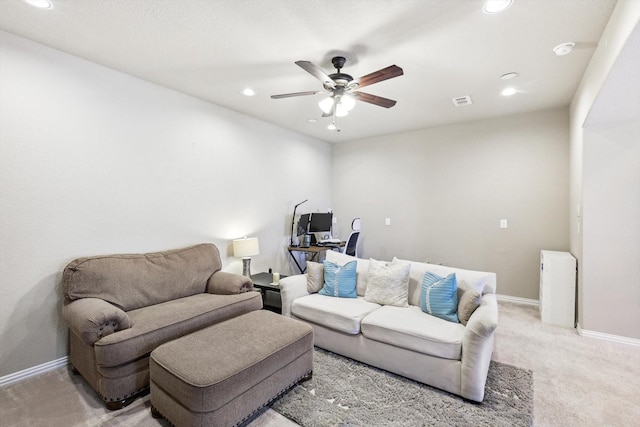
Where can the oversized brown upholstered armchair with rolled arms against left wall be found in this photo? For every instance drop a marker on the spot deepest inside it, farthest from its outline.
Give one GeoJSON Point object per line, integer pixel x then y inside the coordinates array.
{"type": "Point", "coordinates": [119, 308]}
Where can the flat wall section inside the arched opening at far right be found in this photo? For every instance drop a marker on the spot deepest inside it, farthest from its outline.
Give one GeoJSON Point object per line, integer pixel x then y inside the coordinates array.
{"type": "Point", "coordinates": [611, 229]}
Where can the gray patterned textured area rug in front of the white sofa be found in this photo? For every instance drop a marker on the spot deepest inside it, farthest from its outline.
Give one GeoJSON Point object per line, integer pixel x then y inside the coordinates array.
{"type": "Point", "coordinates": [344, 392]}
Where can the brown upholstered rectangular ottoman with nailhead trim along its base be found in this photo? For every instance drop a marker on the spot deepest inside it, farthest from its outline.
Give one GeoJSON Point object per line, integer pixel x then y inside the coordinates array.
{"type": "Point", "coordinates": [221, 375]}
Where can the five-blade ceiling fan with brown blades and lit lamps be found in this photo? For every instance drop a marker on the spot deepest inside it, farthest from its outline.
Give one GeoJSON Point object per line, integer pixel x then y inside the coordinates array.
{"type": "Point", "coordinates": [343, 90]}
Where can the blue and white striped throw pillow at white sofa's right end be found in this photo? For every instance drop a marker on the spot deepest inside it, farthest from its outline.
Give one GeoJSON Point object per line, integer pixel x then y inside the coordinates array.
{"type": "Point", "coordinates": [439, 296]}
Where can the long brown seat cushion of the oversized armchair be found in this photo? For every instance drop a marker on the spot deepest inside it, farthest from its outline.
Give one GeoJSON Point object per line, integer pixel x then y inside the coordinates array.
{"type": "Point", "coordinates": [157, 324]}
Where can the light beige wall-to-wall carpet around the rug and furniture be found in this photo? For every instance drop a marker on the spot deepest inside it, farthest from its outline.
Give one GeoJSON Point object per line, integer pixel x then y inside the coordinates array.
{"type": "Point", "coordinates": [577, 381]}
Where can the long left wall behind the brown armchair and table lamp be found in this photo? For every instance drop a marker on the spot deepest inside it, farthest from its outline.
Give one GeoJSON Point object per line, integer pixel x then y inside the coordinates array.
{"type": "Point", "coordinates": [93, 161]}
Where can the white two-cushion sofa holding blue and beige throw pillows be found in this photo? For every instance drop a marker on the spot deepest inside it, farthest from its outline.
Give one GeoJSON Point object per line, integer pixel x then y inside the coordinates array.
{"type": "Point", "coordinates": [406, 341]}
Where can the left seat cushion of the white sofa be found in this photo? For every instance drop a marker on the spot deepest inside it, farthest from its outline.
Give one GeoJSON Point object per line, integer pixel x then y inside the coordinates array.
{"type": "Point", "coordinates": [341, 314]}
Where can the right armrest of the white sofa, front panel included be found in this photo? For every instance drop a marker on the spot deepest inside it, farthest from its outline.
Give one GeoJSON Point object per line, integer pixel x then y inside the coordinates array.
{"type": "Point", "coordinates": [477, 347]}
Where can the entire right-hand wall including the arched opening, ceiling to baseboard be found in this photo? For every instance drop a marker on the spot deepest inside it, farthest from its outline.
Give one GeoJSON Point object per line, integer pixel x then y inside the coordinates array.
{"type": "Point", "coordinates": [605, 182]}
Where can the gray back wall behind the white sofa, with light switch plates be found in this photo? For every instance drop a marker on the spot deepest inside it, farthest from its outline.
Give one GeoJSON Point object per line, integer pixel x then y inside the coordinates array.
{"type": "Point", "coordinates": [446, 189]}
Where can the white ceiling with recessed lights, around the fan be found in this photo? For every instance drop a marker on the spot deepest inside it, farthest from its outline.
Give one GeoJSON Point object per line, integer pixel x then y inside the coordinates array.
{"type": "Point", "coordinates": [213, 49]}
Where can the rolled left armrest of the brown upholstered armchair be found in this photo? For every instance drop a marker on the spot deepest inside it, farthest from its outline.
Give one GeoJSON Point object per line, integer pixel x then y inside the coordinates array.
{"type": "Point", "coordinates": [92, 318]}
